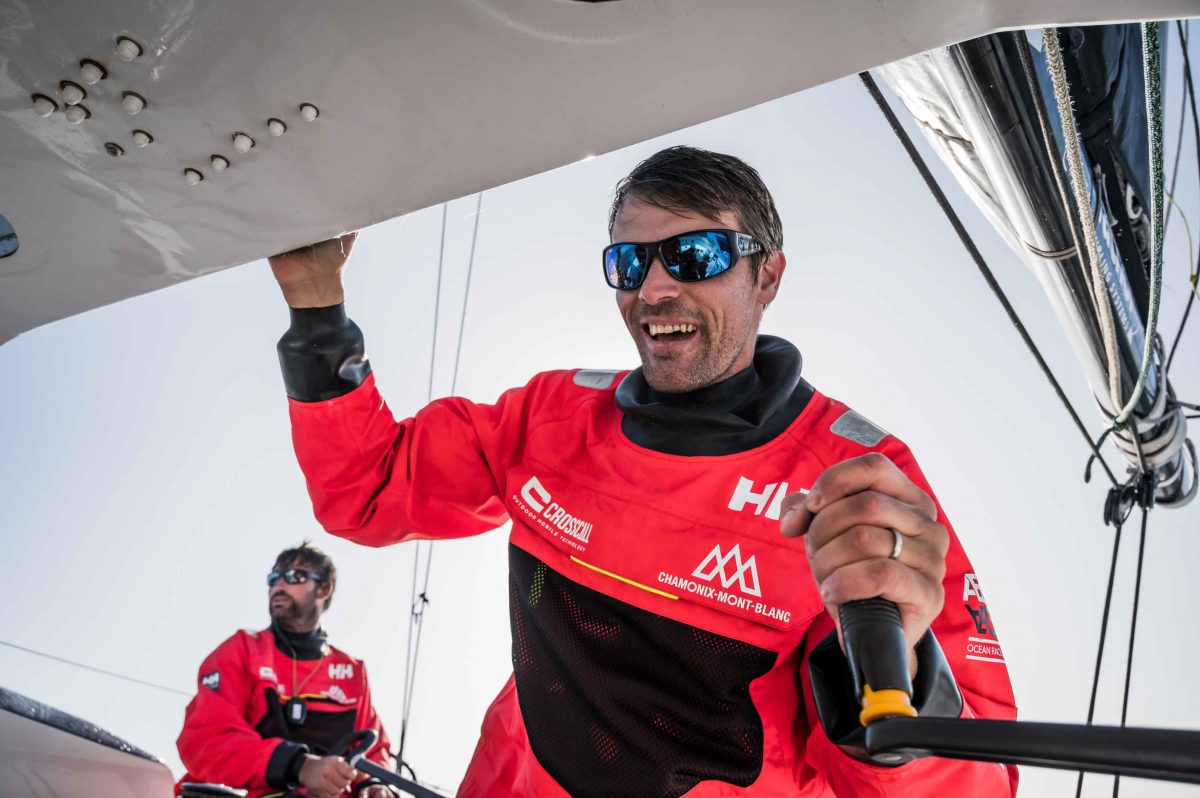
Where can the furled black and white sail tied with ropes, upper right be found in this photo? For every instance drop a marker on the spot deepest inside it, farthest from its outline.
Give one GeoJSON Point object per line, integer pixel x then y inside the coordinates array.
{"type": "Point", "coordinates": [988, 109]}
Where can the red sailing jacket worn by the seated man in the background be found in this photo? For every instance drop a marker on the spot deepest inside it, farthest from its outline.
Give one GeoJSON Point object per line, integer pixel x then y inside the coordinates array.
{"type": "Point", "coordinates": [235, 729]}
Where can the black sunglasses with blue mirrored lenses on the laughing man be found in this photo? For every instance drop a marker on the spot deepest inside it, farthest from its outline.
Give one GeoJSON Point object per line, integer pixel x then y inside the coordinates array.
{"type": "Point", "coordinates": [688, 257]}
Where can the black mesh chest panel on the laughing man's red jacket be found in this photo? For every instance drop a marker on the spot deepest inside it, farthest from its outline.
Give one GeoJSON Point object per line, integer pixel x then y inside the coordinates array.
{"type": "Point", "coordinates": [621, 703]}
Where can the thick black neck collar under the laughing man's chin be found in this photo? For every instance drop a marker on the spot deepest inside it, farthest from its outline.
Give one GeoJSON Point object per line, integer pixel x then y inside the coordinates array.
{"type": "Point", "coordinates": [736, 415]}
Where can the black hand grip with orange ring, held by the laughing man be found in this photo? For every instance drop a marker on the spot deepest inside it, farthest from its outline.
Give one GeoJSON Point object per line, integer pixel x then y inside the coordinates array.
{"type": "Point", "coordinates": [879, 658]}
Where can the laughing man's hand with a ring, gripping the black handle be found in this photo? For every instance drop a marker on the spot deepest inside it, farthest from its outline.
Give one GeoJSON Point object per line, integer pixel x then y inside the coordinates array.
{"type": "Point", "coordinates": [848, 519]}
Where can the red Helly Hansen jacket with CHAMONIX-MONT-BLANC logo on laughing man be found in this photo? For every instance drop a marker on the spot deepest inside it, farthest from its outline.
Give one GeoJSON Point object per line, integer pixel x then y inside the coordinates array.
{"type": "Point", "coordinates": [662, 626]}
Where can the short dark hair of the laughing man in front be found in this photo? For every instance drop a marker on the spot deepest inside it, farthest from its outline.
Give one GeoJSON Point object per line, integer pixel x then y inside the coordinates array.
{"type": "Point", "coordinates": [691, 179]}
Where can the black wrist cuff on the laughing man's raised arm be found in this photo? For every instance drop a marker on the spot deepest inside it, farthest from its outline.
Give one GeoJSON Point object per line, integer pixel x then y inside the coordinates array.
{"type": "Point", "coordinates": [323, 355]}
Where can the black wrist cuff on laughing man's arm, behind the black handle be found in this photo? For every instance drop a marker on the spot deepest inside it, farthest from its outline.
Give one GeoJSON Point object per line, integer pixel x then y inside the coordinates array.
{"type": "Point", "coordinates": [935, 694]}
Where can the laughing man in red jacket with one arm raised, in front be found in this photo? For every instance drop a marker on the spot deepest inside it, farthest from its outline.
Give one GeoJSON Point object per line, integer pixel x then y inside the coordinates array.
{"type": "Point", "coordinates": [674, 592]}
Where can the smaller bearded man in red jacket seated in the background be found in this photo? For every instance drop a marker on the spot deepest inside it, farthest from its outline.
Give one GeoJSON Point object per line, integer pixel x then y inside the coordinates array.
{"type": "Point", "coordinates": [271, 704]}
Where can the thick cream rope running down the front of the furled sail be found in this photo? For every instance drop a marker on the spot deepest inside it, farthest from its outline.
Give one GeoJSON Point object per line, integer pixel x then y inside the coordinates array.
{"type": "Point", "coordinates": [1053, 50]}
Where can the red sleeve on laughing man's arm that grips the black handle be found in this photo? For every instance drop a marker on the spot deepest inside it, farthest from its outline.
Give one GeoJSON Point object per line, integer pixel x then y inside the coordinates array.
{"type": "Point", "coordinates": [979, 670]}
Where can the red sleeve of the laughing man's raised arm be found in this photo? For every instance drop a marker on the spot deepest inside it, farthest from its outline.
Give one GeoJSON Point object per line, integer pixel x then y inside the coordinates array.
{"type": "Point", "coordinates": [379, 482]}
